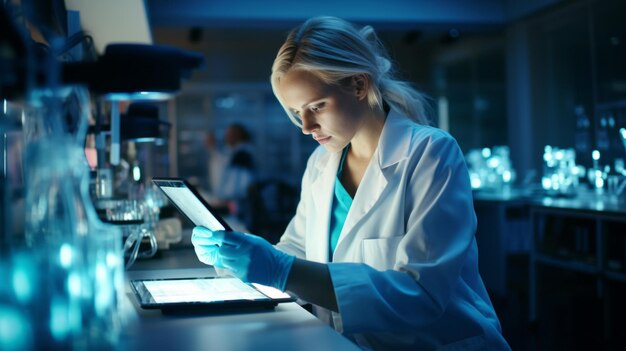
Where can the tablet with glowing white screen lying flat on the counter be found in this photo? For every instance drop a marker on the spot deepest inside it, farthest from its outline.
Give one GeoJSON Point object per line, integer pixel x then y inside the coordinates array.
{"type": "Point", "coordinates": [207, 293]}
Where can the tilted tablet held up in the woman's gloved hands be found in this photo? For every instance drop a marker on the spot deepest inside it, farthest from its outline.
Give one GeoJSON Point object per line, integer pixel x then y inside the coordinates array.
{"type": "Point", "coordinates": [189, 202]}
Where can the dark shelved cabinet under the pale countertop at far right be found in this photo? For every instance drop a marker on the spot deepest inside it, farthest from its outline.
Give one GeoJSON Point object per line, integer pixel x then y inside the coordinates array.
{"type": "Point", "coordinates": [584, 242]}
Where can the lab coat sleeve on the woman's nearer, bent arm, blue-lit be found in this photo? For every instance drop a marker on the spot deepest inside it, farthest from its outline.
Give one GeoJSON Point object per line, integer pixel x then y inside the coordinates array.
{"type": "Point", "coordinates": [440, 230]}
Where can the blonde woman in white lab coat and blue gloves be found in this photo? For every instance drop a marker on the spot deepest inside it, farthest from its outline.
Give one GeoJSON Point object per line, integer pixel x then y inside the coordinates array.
{"type": "Point", "coordinates": [382, 242]}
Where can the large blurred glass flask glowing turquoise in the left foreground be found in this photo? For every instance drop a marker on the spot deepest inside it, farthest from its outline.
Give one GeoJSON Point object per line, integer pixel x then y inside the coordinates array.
{"type": "Point", "coordinates": [78, 272]}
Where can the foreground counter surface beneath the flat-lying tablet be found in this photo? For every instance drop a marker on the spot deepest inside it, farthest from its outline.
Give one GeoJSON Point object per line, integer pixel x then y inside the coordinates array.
{"type": "Point", "coordinates": [287, 327]}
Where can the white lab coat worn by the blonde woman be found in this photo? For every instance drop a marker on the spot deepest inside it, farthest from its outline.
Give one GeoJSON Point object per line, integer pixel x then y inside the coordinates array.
{"type": "Point", "coordinates": [405, 269]}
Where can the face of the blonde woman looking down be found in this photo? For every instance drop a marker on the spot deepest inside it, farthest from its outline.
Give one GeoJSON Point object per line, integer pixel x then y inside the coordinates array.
{"type": "Point", "coordinates": [331, 114]}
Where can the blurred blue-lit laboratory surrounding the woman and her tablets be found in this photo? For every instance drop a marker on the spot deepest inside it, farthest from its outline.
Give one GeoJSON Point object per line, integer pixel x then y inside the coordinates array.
{"type": "Point", "coordinates": [100, 97]}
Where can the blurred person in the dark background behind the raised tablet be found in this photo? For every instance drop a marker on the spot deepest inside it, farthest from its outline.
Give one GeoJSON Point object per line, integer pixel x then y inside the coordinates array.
{"type": "Point", "coordinates": [231, 169]}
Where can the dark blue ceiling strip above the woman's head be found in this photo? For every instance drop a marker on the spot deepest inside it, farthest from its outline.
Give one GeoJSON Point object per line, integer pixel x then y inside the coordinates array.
{"type": "Point", "coordinates": [284, 14]}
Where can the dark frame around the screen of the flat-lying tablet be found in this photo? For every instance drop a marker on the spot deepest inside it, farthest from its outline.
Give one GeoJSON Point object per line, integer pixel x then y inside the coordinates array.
{"type": "Point", "coordinates": [146, 300]}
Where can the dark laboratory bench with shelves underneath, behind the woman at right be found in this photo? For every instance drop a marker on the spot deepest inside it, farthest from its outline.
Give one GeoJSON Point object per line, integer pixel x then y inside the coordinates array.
{"type": "Point", "coordinates": [575, 247]}
